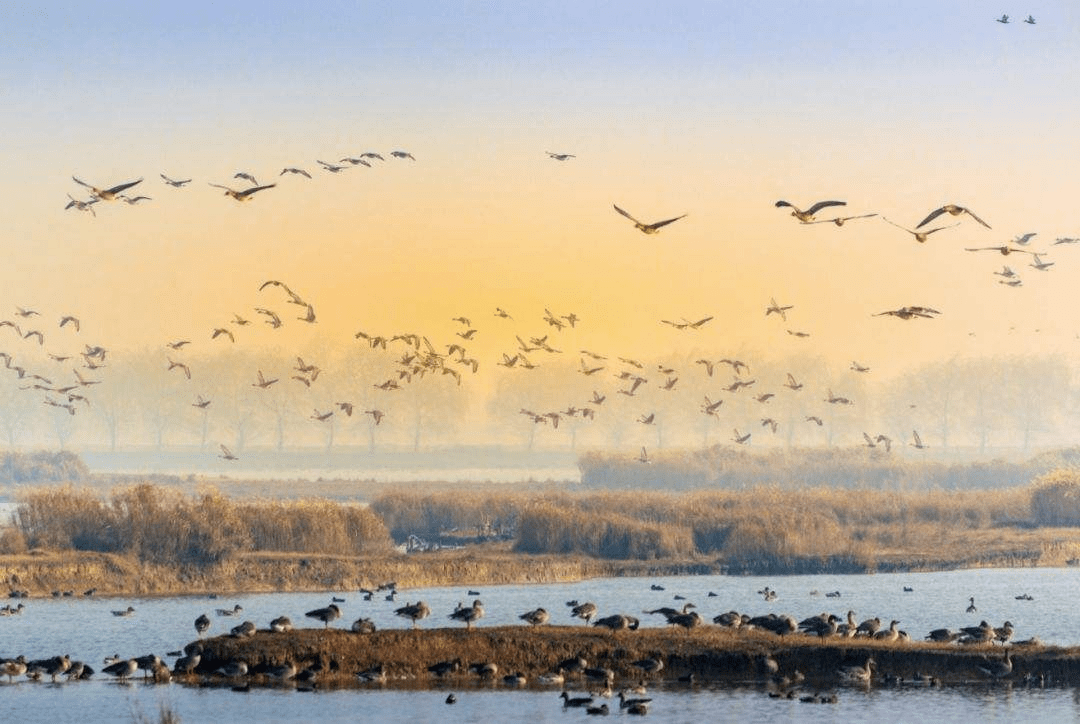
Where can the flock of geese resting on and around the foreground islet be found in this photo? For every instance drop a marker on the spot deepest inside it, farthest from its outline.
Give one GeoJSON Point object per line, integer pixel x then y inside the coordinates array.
{"type": "Point", "coordinates": [598, 680]}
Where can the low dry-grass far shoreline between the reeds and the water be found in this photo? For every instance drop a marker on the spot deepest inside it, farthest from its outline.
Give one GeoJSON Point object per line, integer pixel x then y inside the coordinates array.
{"type": "Point", "coordinates": [46, 574]}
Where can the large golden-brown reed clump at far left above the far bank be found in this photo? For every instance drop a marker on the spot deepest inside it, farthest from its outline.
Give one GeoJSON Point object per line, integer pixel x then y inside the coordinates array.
{"type": "Point", "coordinates": [163, 526]}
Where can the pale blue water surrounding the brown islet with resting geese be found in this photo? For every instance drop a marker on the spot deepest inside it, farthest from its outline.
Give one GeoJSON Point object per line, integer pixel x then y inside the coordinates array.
{"type": "Point", "coordinates": [86, 629]}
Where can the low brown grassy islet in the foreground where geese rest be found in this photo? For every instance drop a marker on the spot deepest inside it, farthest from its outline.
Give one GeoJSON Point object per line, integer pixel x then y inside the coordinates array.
{"type": "Point", "coordinates": [710, 653]}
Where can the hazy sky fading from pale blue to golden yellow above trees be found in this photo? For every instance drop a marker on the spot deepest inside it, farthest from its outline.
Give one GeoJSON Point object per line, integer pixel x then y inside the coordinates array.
{"type": "Point", "coordinates": [714, 111]}
